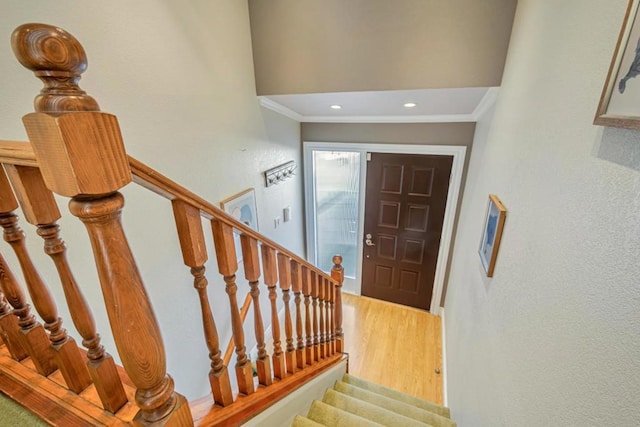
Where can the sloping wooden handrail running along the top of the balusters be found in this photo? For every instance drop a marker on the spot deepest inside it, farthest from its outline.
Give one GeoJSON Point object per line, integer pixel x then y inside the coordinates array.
{"type": "Point", "coordinates": [21, 153]}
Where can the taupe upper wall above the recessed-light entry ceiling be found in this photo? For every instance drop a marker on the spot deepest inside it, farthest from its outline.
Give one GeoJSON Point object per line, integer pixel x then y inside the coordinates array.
{"type": "Point", "coordinates": [307, 46]}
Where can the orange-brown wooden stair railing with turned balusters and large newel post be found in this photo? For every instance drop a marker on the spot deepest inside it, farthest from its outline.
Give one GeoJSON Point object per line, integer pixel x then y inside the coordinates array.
{"type": "Point", "coordinates": [76, 151]}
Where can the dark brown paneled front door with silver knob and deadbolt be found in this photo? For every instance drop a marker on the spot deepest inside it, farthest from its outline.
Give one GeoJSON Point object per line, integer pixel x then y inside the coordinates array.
{"type": "Point", "coordinates": [404, 210]}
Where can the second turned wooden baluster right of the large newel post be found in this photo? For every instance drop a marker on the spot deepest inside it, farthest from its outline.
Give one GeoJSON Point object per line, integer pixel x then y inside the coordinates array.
{"type": "Point", "coordinates": [227, 266]}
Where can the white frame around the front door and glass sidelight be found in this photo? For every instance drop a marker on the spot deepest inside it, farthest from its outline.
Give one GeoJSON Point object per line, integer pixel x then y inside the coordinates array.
{"type": "Point", "coordinates": [457, 151]}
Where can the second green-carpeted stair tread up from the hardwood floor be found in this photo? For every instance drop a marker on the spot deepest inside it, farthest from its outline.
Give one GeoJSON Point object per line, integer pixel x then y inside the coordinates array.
{"type": "Point", "coordinates": [394, 405]}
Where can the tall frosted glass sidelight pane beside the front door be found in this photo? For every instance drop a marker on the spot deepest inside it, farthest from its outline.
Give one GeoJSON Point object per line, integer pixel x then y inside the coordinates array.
{"type": "Point", "coordinates": [337, 180]}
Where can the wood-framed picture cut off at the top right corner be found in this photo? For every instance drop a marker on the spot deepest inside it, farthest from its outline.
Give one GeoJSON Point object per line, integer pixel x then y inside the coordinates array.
{"type": "Point", "coordinates": [618, 106]}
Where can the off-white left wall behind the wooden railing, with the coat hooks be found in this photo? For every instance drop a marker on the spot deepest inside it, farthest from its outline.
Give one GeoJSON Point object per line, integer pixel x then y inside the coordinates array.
{"type": "Point", "coordinates": [179, 76]}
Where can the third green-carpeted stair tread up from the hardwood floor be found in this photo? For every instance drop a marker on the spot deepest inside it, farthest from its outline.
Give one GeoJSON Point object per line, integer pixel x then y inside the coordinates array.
{"type": "Point", "coordinates": [368, 410]}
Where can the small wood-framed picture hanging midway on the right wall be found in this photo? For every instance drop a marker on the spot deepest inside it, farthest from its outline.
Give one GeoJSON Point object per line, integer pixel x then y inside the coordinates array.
{"type": "Point", "coordinates": [492, 233]}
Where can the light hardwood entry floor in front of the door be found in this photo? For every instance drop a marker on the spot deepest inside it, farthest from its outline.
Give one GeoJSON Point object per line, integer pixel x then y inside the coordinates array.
{"type": "Point", "coordinates": [393, 345]}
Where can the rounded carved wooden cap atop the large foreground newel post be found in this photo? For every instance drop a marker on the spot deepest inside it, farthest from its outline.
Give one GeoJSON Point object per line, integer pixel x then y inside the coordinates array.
{"type": "Point", "coordinates": [58, 59]}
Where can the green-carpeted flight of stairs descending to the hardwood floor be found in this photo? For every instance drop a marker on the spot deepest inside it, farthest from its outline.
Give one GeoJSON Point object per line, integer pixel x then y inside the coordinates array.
{"type": "Point", "coordinates": [356, 402]}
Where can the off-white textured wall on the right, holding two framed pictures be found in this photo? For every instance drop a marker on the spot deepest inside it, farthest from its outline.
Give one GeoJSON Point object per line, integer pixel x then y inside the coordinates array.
{"type": "Point", "coordinates": [552, 338]}
